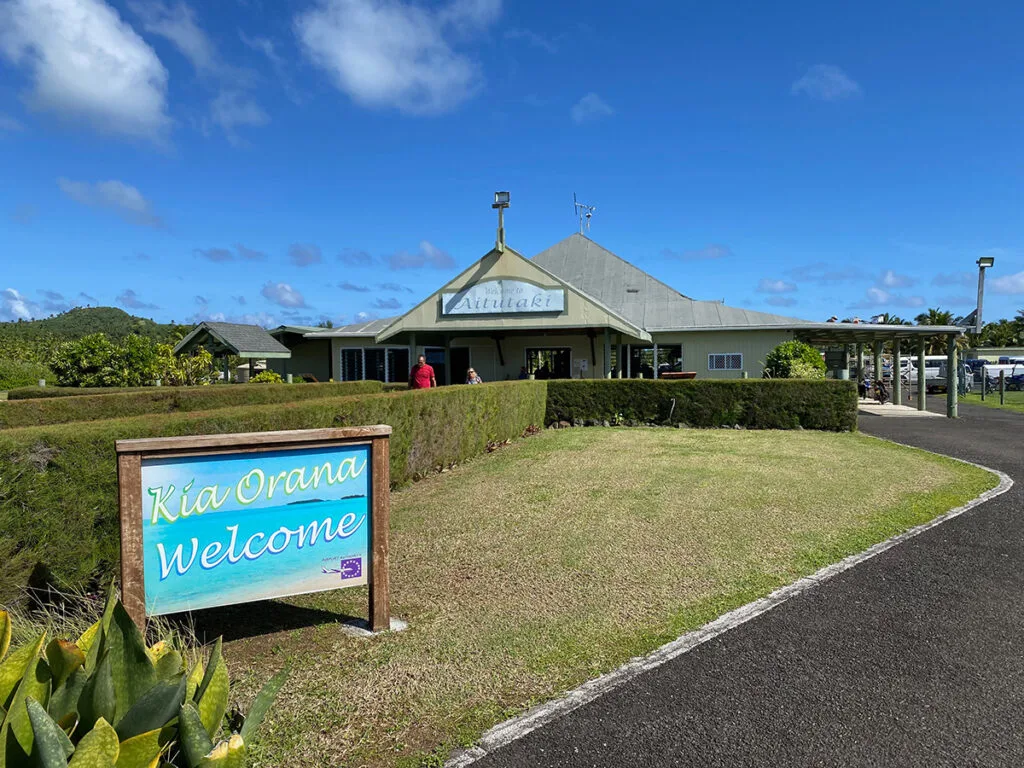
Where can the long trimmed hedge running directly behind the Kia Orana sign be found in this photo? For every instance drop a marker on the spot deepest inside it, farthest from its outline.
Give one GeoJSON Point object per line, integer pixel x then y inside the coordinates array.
{"type": "Point", "coordinates": [59, 484]}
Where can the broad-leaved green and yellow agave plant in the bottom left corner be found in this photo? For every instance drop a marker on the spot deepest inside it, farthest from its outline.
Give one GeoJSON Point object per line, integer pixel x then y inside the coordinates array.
{"type": "Point", "coordinates": [108, 701]}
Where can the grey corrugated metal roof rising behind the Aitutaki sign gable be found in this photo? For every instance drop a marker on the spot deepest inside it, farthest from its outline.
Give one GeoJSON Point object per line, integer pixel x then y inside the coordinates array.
{"type": "Point", "coordinates": [638, 297]}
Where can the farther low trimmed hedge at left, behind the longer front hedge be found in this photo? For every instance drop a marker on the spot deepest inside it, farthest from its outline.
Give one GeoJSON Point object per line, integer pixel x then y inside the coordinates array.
{"type": "Point", "coordinates": [168, 400]}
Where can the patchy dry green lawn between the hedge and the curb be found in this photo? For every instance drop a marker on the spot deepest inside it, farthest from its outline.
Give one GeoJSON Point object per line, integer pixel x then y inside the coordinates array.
{"type": "Point", "coordinates": [533, 570]}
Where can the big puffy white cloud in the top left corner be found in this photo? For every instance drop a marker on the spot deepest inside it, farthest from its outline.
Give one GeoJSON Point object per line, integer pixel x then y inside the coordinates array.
{"type": "Point", "coordinates": [88, 65]}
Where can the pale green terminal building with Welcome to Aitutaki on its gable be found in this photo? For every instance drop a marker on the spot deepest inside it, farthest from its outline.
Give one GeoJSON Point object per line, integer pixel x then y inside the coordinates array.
{"type": "Point", "coordinates": [574, 311]}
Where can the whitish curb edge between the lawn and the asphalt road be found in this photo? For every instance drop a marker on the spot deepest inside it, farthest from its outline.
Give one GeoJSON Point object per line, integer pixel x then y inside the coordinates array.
{"type": "Point", "coordinates": [521, 726]}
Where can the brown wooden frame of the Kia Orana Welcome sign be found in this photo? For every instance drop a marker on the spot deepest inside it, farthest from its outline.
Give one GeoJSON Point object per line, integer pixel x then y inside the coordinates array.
{"type": "Point", "coordinates": [132, 454]}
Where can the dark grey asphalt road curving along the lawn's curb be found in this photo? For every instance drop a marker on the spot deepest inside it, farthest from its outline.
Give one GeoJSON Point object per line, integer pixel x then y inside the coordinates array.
{"type": "Point", "coordinates": [915, 658]}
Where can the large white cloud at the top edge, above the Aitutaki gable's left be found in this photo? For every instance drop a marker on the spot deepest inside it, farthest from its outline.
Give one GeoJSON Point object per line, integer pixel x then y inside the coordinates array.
{"type": "Point", "coordinates": [393, 54]}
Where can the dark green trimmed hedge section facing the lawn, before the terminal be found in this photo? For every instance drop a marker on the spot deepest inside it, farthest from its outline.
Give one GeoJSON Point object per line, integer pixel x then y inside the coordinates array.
{"type": "Point", "coordinates": [755, 404]}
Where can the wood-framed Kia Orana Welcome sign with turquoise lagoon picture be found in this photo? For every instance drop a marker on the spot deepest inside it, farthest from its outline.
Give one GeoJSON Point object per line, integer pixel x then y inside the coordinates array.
{"type": "Point", "coordinates": [220, 520]}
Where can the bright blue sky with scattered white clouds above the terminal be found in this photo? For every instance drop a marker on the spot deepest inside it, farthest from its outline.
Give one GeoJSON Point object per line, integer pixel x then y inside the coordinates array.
{"type": "Point", "coordinates": [277, 162]}
